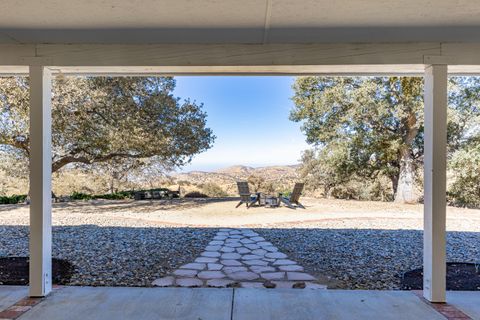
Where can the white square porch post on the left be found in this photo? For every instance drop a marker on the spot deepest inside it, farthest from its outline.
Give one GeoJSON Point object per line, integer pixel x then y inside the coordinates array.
{"type": "Point", "coordinates": [40, 182]}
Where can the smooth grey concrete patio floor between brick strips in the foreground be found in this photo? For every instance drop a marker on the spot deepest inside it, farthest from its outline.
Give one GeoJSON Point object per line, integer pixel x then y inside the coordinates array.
{"type": "Point", "coordinates": [78, 303]}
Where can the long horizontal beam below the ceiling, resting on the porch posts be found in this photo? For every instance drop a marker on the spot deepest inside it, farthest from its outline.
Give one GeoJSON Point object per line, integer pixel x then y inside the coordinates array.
{"type": "Point", "coordinates": [220, 55]}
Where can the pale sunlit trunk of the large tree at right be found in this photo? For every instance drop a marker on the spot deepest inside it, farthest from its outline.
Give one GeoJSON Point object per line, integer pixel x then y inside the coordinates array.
{"type": "Point", "coordinates": [405, 190]}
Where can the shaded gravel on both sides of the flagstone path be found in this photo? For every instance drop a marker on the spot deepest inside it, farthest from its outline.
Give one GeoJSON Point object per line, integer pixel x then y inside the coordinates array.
{"type": "Point", "coordinates": [135, 256]}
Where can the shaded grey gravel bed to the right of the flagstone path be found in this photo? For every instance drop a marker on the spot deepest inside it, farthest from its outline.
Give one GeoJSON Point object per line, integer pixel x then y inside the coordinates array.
{"type": "Point", "coordinates": [365, 259]}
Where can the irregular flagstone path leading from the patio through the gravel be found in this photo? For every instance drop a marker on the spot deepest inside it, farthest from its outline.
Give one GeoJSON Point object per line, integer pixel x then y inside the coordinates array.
{"type": "Point", "coordinates": [240, 258]}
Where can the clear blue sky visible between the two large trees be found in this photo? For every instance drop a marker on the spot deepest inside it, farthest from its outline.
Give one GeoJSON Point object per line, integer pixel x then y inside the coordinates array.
{"type": "Point", "coordinates": [249, 116]}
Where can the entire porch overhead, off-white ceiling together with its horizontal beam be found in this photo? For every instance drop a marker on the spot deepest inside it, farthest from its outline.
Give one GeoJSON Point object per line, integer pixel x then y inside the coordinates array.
{"type": "Point", "coordinates": [133, 37]}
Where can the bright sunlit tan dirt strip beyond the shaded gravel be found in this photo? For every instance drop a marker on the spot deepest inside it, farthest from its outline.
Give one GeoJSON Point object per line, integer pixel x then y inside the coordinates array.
{"type": "Point", "coordinates": [328, 213]}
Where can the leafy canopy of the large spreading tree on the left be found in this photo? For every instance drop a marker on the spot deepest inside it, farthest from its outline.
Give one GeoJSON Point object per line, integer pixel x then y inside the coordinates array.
{"type": "Point", "coordinates": [101, 119]}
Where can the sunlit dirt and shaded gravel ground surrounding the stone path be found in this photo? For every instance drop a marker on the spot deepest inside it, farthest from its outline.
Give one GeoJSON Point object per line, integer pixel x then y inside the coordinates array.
{"type": "Point", "coordinates": [350, 244]}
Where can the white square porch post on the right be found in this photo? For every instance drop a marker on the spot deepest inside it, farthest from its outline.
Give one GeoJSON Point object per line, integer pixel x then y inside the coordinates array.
{"type": "Point", "coordinates": [434, 243]}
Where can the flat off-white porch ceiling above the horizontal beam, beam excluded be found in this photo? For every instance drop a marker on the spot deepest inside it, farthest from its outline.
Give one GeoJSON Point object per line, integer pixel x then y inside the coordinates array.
{"type": "Point", "coordinates": [238, 21]}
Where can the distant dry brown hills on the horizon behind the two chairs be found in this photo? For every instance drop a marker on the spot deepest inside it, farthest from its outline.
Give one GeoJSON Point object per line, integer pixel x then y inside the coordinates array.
{"type": "Point", "coordinates": [281, 176]}
